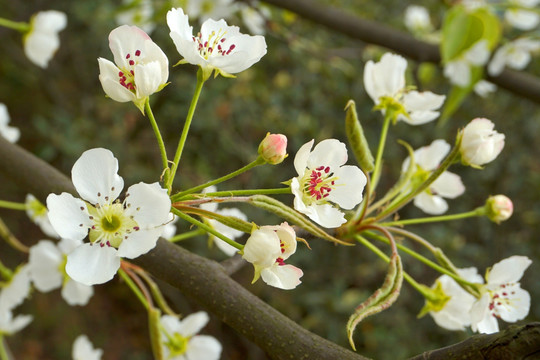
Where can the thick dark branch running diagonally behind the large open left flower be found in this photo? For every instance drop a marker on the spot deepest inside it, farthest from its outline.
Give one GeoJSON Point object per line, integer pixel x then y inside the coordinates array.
{"type": "Point", "coordinates": [202, 280]}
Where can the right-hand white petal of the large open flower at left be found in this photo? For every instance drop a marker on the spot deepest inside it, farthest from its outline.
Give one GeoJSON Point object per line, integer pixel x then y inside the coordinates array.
{"type": "Point", "coordinates": [149, 204]}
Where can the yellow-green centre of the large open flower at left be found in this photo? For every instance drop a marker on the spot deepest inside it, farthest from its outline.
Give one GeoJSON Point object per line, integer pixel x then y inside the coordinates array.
{"type": "Point", "coordinates": [111, 225]}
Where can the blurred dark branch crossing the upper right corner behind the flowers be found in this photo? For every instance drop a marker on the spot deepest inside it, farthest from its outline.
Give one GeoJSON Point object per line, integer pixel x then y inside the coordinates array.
{"type": "Point", "coordinates": [522, 84]}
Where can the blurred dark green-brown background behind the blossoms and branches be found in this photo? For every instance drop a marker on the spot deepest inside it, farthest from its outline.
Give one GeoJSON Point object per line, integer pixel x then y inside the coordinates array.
{"type": "Point", "coordinates": [299, 89]}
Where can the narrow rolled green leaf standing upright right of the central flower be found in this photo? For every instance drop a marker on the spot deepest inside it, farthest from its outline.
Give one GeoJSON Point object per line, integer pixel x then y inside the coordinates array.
{"type": "Point", "coordinates": [357, 139]}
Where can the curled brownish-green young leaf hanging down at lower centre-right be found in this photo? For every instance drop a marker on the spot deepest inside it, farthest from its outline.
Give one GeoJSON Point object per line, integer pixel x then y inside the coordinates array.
{"type": "Point", "coordinates": [381, 299]}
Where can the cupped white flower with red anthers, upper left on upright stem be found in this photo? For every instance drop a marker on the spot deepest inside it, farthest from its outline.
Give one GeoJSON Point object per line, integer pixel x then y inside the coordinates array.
{"type": "Point", "coordinates": [141, 69]}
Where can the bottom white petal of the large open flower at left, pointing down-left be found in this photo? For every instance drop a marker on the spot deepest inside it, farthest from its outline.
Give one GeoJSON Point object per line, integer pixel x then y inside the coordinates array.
{"type": "Point", "coordinates": [92, 264]}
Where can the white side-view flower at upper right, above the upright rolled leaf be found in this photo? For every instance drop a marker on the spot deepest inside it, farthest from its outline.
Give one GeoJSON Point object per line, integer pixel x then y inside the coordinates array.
{"type": "Point", "coordinates": [385, 84]}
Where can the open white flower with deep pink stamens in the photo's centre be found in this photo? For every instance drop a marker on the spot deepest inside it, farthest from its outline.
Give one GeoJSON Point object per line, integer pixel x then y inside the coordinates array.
{"type": "Point", "coordinates": [323, 178]}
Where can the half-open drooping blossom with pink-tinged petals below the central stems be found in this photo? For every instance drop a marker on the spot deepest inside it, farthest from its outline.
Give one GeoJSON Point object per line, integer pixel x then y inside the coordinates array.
{"type": "Point", "coordinates": [267, 249]}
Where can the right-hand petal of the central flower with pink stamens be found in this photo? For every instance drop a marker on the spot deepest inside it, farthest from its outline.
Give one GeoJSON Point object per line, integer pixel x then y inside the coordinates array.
{"type": "Point", "coordinates": [348, 189]}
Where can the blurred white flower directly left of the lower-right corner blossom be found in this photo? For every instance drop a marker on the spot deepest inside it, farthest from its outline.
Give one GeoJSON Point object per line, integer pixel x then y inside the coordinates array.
{"type": "Point", "coordinates": [454, 315]}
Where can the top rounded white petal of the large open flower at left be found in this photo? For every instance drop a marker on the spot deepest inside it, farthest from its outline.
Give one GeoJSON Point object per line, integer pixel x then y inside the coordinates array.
{"type": "Point", "coordinates": [95, 176]}
